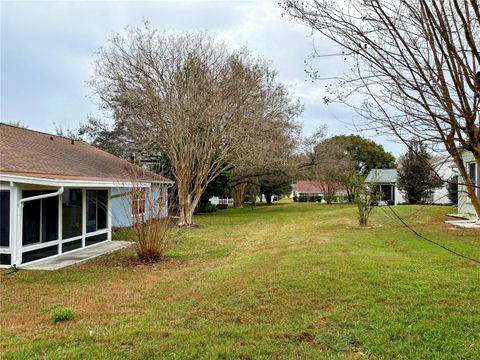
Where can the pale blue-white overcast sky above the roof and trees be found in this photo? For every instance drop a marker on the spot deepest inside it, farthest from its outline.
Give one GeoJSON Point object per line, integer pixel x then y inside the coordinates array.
{"type": "Point", "coordinates": [47, 50]}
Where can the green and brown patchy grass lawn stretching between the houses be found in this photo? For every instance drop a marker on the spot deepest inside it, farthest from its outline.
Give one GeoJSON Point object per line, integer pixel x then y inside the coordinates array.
{"type": "Point", "coordinates": [292, 280]}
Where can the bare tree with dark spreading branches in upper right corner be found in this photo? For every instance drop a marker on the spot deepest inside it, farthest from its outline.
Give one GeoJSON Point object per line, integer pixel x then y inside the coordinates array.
{"type": "Point", "coordinates": [415, 67]}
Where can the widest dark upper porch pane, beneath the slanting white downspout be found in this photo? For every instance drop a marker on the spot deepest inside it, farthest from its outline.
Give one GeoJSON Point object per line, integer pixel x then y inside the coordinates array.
{"type": "Point", "coordinates": [40, 218]}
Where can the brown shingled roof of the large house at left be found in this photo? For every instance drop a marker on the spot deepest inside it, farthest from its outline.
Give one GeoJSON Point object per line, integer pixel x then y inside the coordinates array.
{"type": "Point", "coordinates": [29, 153]}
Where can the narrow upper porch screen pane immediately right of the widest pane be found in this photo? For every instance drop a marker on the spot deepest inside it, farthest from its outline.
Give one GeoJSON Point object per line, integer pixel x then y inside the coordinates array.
{"type": "Point", "coordinates": [71, 213]}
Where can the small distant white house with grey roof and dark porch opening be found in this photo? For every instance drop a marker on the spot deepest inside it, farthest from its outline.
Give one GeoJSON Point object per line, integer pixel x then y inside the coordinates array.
{"type": "Point", "coordinates": [385, 181]}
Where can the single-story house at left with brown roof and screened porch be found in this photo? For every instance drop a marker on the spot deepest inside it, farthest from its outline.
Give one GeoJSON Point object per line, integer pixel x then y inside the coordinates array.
{"type": "Point", "coordinates": [59, 195]}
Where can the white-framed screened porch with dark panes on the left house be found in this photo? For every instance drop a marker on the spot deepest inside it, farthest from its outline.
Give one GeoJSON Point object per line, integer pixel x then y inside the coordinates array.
{"type": "Point", "coordinates": [51, 221]}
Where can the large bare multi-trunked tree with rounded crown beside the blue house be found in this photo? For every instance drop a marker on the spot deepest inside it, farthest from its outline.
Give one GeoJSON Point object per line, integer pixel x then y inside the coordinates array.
{"type": "Point", "coordinates": [189, 98]}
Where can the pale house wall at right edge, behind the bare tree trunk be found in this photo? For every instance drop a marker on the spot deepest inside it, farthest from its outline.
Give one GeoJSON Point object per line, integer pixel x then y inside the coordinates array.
{"type": "Point", "coordinates": [465, 206]}
